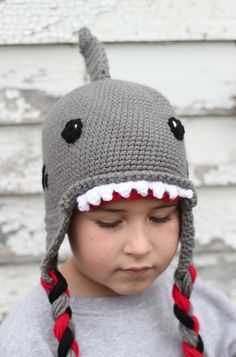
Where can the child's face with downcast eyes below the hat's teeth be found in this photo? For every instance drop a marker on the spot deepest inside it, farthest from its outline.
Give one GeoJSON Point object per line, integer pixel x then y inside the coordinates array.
{"type": "Point", "coordinates": [134, 240]}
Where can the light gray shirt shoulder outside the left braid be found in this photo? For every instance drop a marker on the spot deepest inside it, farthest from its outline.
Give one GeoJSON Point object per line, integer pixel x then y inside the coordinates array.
{"type": "Point", "coordinates": [23, 330]}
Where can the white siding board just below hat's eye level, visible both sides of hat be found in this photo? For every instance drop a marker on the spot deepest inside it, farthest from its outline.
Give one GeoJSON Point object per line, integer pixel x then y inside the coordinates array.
{"type": "Point", "coordinates": [210, 144]}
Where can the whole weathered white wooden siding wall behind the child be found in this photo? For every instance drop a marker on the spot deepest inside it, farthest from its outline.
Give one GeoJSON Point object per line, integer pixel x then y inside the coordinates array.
{"type": "Point", "coordinates": [184, 49]}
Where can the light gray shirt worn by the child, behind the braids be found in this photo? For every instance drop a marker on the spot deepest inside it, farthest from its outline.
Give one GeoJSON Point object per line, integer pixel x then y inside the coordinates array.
{"type": "Point", "coordinates": [141, 325]}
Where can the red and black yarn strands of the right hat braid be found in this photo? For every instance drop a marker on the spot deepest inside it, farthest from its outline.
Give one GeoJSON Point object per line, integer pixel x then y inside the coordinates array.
{"type": "Point", "coordinates": [182, 309]}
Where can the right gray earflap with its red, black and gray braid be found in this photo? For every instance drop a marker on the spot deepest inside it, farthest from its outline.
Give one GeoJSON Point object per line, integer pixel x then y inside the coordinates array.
{"type": "Point", "coordinates": [184, 277]}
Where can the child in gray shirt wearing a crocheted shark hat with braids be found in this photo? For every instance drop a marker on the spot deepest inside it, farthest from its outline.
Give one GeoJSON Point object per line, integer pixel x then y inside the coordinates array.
{"type": "Point", "coordinates": [115, 178]}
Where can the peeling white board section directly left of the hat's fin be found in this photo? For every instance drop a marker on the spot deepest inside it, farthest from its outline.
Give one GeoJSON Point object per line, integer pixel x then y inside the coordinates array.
{"type": "Point", "coordinates": [33, 78]}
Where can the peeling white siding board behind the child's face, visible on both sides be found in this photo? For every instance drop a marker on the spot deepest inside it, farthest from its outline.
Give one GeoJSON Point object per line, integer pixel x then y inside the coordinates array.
{"type": "Point", "coordinates": [22, 230]}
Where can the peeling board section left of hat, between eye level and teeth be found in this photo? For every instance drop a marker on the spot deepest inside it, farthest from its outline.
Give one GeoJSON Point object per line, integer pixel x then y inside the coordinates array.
{"type": "Point", "coordinates": [20, 159]}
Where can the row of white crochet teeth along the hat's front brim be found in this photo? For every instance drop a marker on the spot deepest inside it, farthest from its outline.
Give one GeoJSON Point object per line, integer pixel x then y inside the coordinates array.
{"type": "Point", "coordinates": [105, 192]}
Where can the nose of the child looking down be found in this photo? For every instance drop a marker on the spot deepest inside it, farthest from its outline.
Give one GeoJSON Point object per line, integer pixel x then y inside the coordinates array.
{"type": "Point", "coordinates": [138, 243]}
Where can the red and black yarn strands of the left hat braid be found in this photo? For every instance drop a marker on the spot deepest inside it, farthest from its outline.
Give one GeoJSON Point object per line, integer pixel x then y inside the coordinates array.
{"type": "Point", "coordinates": [68, 346]}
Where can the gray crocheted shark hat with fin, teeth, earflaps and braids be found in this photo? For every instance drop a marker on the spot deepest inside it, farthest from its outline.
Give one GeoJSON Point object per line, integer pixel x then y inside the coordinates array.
{"type": "Point", "coordinates": [108, 140]}
